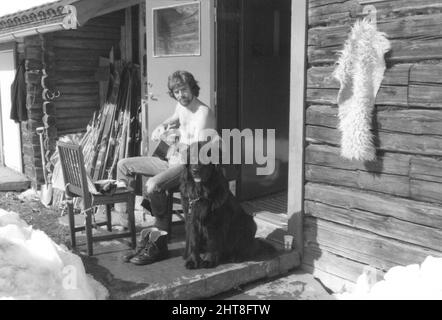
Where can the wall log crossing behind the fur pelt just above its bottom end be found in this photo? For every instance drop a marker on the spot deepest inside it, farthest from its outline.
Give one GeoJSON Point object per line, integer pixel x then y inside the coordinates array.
{"type": "Point", "coordinates": [397, 142]}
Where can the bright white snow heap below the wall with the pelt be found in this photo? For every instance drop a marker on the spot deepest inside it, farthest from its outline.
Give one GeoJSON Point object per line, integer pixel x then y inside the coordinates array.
{"type": "Point", "coordinates": [412, 282]}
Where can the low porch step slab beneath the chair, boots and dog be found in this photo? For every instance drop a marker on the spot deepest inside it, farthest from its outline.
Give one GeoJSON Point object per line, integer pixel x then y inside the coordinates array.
{"type": "Point", "coordinates": [169, 279]}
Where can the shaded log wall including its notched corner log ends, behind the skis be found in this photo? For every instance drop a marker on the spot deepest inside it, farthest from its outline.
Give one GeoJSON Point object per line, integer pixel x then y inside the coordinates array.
{"type": "Point", "coordinates": [72, 58]}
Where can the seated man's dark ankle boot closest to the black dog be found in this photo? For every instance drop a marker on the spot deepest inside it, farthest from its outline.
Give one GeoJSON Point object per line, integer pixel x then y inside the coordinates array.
{"type": "Point", "coordinates": [155, 249]}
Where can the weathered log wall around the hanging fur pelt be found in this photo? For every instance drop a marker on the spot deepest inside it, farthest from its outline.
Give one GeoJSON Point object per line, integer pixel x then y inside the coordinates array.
{"type": "Point", "coordinates": [388, 212]}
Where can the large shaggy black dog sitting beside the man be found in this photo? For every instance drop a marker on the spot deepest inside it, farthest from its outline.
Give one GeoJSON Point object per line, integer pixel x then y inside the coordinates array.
{"type": "Point", "coordinates": [217, 228]}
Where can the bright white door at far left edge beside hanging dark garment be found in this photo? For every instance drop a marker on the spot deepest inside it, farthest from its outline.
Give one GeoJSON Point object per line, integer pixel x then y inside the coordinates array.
{"type": "Point", "coordinates": [10, 138]}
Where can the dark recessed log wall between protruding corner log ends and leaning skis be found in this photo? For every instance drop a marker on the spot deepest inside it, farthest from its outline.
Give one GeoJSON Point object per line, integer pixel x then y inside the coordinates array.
{"type": "Point", "coordinates": [76, 62]}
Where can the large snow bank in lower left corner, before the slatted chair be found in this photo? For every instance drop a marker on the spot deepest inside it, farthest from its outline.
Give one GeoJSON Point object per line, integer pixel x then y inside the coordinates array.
{"type": "Point", "coordinates": [32, 266]}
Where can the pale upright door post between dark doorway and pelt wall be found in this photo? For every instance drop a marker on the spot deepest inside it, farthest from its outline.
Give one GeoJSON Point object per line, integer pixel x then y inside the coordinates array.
{"type": "Point", "coordinates": [297, 122]}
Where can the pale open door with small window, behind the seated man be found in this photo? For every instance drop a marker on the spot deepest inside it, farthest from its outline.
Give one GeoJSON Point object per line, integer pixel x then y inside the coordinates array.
{"type": "Point", "coordinates": [180, 36]}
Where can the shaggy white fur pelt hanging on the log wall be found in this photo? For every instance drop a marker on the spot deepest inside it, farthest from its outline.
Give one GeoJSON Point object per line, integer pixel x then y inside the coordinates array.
{"type": "Point", "coordinates": [360, 70]}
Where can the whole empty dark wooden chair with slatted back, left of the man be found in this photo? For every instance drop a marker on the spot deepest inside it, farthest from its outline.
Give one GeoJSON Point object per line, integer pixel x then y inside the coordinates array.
{"type": "Point", "coordinates": [77, 184]}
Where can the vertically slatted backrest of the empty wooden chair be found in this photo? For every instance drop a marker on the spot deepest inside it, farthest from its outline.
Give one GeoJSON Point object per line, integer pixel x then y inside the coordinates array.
{"type": "Point", "coordinates": [74, 172]}
